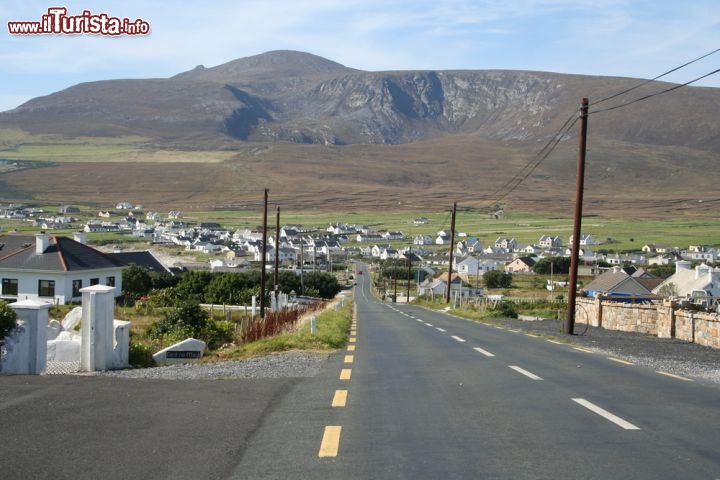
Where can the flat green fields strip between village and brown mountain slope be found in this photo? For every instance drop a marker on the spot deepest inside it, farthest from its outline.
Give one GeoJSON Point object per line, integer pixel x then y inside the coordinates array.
{"type": "Point", "coordinates": [625, 234]}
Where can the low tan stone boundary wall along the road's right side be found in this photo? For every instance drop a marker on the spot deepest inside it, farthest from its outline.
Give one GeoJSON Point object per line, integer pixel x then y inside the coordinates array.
{"type": "Point", "coordinates": [664, 320]}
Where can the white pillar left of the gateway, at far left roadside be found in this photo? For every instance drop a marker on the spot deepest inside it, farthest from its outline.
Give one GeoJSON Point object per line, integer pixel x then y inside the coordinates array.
{"type": "Point", "coordinates": [32, 316]}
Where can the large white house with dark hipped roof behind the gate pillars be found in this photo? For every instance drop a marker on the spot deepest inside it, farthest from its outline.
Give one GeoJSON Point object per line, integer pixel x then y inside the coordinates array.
{"type": "Point", "coordinates": [53, 268]}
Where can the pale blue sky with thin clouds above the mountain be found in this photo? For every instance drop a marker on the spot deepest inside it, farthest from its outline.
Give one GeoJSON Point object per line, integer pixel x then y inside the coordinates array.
{"type": "Point", "coordinates": [626, 38]}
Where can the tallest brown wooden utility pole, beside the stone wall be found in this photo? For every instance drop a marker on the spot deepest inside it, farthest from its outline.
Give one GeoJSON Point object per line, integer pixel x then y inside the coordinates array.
{"type": "Point", "coordinates": [569, 325]}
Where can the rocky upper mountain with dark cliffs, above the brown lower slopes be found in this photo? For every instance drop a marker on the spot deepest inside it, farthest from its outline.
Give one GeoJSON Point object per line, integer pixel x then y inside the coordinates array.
{"type": "Point", "coordinates": [297, 97]}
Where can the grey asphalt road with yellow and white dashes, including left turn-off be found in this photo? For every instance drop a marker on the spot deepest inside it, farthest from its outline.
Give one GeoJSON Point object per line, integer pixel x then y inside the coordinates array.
{"type": "Point", "coordinates": [416, 395]}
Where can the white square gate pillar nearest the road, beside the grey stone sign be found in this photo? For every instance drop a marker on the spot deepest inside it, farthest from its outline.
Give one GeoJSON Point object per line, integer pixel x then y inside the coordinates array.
{"type": "Point", "coordinates": [96, 330]}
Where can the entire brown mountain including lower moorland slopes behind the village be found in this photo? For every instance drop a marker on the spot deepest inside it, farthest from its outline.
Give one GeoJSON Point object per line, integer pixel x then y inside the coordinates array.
{"type": "Point", "coordinates": [278, 107]}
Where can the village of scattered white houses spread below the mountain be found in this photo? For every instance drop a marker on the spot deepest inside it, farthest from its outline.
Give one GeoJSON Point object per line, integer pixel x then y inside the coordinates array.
{"type": "Point", "coordinates": [211, 246]}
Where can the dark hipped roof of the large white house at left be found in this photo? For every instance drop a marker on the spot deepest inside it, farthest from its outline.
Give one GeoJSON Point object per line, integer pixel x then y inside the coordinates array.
{"type": "Point", "coordinates": [62, 254]}
